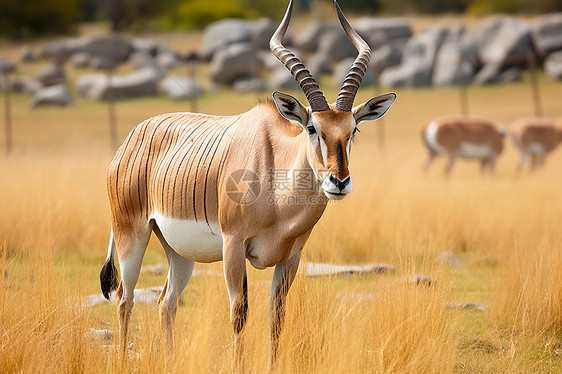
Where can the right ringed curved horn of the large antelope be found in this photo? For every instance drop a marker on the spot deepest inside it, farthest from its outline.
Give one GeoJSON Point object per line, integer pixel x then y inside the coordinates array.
{"type": "Point", "coordinates": [357, 71]}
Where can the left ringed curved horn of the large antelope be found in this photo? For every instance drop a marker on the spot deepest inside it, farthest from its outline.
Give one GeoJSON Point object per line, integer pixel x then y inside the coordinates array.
{"type": "Point", "coordinates": [306, 81]}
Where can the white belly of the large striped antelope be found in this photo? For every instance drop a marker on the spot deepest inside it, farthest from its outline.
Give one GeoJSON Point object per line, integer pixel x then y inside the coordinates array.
{"type": "Point", "coordinates": [191, 239]}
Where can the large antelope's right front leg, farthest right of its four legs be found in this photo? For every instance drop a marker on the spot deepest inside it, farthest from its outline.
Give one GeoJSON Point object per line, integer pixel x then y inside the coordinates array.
{"type": "Point", "coordinates": [283, 277]}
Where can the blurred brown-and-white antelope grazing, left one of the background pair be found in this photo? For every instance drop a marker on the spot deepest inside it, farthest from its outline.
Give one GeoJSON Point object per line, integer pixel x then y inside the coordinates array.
{"type": "Point", "coordinates": [463, 137]}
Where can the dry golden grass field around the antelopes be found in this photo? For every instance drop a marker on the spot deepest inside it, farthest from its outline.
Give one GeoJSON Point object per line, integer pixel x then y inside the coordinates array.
{"type": "Point", "coordinates": [54, 229]}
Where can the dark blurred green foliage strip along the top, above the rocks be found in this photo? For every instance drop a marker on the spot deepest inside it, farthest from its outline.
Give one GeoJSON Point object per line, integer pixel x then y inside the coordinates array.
{"type": "Point", "coordinates": [34, 18]}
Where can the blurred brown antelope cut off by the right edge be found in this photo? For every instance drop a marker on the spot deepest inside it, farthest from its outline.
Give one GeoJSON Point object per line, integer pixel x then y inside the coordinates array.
{"type": "Point", "coordinates": [535, 138]}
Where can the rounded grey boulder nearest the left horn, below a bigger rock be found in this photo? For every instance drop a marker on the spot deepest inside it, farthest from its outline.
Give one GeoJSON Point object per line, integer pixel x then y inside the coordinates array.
{"type": "Point", "coordinates": [234, 62]}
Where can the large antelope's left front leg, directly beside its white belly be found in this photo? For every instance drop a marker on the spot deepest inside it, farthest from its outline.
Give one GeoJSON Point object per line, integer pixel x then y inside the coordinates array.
{"type": "Point", "coordinates": [234, 262]}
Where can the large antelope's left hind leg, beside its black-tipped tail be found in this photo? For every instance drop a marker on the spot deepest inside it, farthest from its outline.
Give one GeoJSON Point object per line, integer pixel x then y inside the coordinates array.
{"type": "Point", "coordinates": [130, 248]}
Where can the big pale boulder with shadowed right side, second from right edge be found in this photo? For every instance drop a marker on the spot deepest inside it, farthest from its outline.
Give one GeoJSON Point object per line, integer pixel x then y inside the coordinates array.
{"type": "Point", "coordinates": [502, 41]}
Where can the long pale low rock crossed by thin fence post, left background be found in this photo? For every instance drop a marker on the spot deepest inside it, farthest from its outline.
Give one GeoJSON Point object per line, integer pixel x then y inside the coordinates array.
{"type": "Point", "coordinates": [138, 84]}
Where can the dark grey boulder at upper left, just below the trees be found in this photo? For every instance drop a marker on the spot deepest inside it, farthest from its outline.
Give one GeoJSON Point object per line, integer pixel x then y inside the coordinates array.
{"type": "Point", "coordinates": [112, 47]}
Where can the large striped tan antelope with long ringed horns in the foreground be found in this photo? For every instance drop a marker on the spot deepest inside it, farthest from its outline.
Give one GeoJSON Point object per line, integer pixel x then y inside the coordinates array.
{"type": "Point", "coordinates": [175, 175]}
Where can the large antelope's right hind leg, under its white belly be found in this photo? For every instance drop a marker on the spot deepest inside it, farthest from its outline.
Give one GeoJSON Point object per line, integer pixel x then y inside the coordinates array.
{"type": "Point", "coordinates": [179, 273]}
